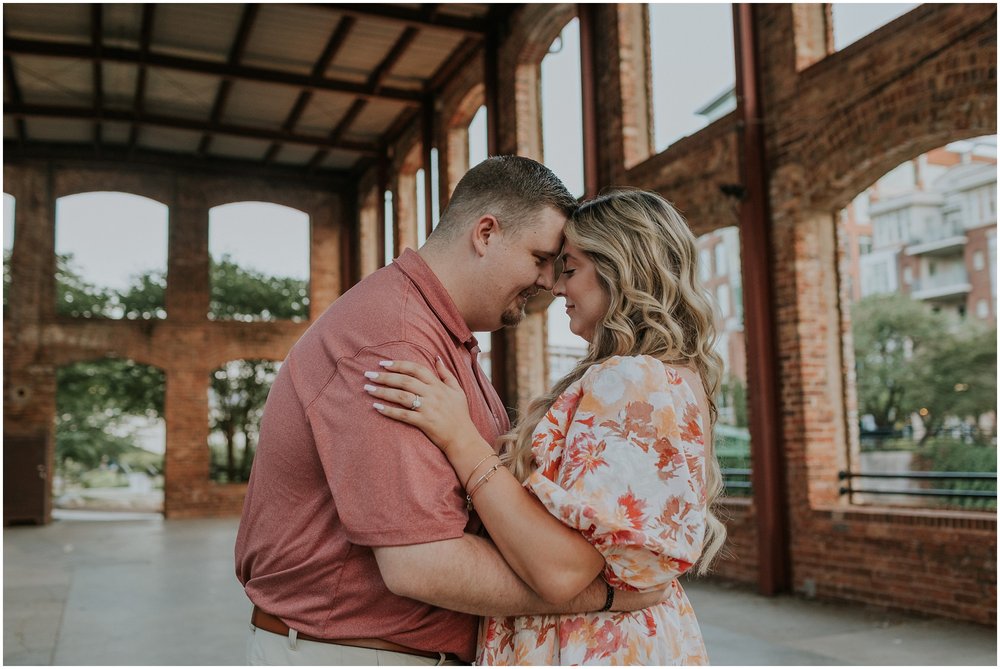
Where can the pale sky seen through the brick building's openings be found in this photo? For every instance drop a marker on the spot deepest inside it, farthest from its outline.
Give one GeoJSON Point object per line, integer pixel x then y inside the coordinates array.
{"type": "Point", "coordinates": [116, 236]}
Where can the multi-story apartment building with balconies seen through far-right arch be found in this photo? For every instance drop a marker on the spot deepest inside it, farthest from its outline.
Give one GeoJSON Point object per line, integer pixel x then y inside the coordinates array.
{"type": "Point", "coordinates": [933, 234]}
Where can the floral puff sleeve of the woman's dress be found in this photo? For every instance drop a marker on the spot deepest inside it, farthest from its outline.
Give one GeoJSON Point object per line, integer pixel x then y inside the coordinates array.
{"type": "Point", "coordinates": [621, 458]}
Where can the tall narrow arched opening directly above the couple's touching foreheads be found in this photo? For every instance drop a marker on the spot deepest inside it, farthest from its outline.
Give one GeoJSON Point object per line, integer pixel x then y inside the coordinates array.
{"type": "Point", "coordinates": [562, 108]}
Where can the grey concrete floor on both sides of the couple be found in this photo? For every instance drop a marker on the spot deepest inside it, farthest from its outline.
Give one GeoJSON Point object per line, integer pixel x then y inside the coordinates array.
{"type": "Point", "coordinates": [141, 590]}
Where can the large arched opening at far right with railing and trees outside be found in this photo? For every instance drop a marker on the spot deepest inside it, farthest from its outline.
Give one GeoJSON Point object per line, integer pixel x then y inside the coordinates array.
{"type": "Point", "coordinates": [917, 264]}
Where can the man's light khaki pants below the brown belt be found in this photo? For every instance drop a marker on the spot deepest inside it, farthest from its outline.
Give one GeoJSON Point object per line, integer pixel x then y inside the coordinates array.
{"type": "Point", "coordinates": [267, 649]}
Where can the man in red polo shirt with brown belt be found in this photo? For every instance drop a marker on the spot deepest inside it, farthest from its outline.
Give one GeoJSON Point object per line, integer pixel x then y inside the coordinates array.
{"type": "Point", "coordinates": [355, 544]}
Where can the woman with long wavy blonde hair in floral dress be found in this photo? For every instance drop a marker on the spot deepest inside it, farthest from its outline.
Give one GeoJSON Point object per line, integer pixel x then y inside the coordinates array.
{"type": "Point", "coordinates": [612, 472]}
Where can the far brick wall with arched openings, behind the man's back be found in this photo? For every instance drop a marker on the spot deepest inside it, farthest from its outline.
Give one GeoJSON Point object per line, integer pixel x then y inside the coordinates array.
{"type": "Point", "coordinates": [185, 345]}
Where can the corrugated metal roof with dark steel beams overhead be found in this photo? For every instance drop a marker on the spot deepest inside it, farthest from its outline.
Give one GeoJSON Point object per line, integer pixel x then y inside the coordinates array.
{"type": "Point", "coordinates": [236, 74]}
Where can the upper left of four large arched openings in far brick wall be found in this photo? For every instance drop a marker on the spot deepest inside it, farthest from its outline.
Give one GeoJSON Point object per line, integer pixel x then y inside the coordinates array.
{"type": "Point", "coordinates": [111, 253]}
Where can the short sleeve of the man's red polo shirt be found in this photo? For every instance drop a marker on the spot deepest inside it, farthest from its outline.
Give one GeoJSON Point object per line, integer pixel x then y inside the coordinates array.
{"type": "Point", "coordinates": [391, 485]}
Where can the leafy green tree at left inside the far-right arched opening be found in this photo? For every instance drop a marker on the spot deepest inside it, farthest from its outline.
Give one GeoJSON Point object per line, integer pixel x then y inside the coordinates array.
{"type": "Point", "coordinates": [889, 331]}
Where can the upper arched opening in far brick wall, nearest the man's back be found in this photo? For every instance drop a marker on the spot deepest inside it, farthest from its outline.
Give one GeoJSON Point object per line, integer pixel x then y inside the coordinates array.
{"type": "Point", "coordinates": [259, 262]}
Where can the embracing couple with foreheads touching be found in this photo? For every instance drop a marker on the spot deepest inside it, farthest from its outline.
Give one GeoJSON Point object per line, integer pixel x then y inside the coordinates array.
{"type": "Point", "coordinates": [394, 516]}
